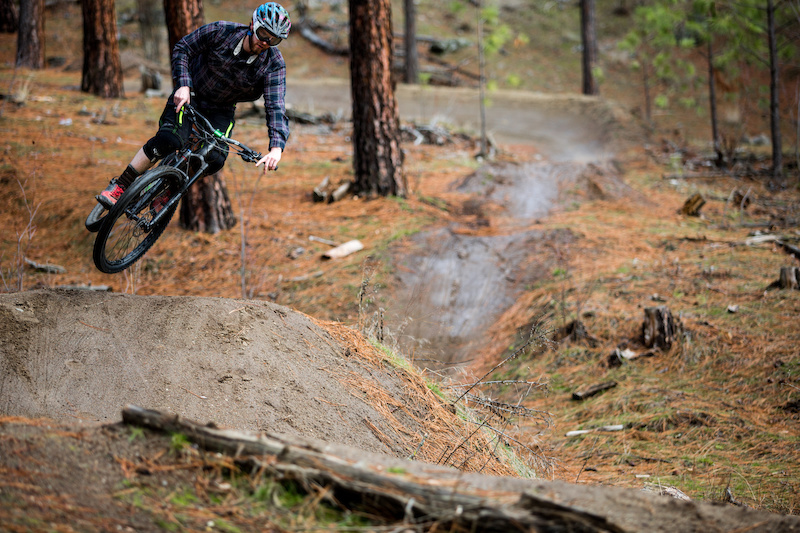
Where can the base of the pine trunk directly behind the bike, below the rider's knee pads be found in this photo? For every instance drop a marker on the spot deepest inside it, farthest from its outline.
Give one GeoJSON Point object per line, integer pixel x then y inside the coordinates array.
{"type": "Point", "coordinates": [206, 207]}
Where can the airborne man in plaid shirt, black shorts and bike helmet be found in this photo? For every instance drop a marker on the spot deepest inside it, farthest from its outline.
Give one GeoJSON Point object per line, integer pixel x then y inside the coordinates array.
{"type": "Point", "coordinates": [214, 68]}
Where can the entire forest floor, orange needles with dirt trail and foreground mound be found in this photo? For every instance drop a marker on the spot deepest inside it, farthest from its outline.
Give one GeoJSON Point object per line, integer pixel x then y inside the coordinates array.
{"type": "Point", "coordinates": [715, 416]}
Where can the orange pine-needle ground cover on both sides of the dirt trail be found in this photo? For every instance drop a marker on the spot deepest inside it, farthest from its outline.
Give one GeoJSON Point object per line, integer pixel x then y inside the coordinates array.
{"type": "Point", "coordinates": [712, 414]}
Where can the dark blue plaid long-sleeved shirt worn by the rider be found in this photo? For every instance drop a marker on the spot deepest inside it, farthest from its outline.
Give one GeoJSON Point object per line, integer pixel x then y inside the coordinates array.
{"type": "Point", "coordinates": [204, 61]}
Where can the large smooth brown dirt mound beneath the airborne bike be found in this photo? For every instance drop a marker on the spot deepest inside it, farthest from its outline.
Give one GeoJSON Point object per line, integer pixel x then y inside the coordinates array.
{"type": "Point", "coordinates": [80, 356]}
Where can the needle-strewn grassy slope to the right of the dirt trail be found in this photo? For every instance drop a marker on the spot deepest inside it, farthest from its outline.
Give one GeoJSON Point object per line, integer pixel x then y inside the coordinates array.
{"type": "Point", "coordinates": [713, 415]}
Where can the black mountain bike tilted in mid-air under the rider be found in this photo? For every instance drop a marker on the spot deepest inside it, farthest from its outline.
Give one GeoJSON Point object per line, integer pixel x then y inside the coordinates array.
{"type": "Point", "coordinates": [140, 216]}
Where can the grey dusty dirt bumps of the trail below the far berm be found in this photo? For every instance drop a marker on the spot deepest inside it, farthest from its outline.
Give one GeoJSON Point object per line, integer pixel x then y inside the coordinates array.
{"type": "Point", "coordinates": [455, 282]}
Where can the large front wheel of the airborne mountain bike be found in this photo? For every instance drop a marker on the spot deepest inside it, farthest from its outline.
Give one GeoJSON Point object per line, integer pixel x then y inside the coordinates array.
{"type": "Point", "coordinates": [127, 232]}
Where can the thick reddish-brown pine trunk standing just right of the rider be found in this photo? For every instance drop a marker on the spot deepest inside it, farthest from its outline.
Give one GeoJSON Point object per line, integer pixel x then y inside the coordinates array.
{"type": "Point", "coordinates": [377, 157]}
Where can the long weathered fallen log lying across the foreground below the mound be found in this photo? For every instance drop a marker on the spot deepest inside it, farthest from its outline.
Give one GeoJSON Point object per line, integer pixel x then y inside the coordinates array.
{"type": "Point", "coordinates": [392, 492]}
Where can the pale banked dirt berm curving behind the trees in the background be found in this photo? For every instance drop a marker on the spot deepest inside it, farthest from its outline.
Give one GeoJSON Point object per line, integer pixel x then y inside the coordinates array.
{"type": "Point", "coordinates": [563, 127]}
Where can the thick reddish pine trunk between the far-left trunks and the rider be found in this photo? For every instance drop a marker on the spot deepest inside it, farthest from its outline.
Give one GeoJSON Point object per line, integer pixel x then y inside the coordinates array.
{"type": "Point", "coordinates": [102, 70]}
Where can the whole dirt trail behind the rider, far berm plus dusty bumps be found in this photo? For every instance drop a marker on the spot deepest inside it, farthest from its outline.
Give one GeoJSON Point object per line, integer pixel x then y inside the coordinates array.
{"type": "Point", "coordinates": [454, 282]}
